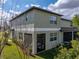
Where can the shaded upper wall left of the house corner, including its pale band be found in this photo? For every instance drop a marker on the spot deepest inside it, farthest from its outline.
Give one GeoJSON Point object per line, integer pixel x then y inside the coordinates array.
{"type": "Point", "coordinates": [21, 25]}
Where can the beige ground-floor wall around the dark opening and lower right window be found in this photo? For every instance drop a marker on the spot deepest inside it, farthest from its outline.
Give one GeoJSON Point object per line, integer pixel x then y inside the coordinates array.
{"type": "Point", "coordinates": [48, 44]}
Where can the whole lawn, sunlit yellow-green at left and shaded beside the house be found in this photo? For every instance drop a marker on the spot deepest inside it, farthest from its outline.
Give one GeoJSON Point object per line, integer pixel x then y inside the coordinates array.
{"type": "Point", "coordinates": [13, 52]}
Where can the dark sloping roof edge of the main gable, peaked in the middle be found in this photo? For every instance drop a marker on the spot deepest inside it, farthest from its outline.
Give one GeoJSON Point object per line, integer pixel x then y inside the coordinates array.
{"type": "Point", "coordinates": [30, 9]}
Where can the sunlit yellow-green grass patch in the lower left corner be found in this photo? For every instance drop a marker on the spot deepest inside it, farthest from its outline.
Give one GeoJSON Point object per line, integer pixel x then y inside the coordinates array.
{"type": "Point", "coordinates": [11, 52]}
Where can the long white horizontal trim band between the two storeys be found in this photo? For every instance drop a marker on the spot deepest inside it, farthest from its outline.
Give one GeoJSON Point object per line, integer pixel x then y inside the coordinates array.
{"type": "Point", "coordinates": [38, 29]}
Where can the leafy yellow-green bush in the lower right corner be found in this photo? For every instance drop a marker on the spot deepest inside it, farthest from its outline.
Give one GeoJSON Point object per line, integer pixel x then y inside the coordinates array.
{"type": "Point", "coordinates": [71, 53]}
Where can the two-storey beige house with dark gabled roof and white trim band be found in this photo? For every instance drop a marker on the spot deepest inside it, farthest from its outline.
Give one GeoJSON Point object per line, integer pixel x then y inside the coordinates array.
{"type": "Point", "coordinates": [42, 29]}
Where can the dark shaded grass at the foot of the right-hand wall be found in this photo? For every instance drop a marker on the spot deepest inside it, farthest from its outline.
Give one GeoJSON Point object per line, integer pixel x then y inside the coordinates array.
{"type": "Point", "coordinates": [49, 54]}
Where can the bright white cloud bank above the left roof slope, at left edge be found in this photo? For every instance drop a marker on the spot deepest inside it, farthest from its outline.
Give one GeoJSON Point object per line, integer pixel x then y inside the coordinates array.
{"type": "Point", "coordinates": [4, 15]}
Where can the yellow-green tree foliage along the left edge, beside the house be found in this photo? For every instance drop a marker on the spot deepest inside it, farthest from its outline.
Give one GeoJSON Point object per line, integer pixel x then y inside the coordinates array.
{"type": "Point", "coordinates": [4, 36]}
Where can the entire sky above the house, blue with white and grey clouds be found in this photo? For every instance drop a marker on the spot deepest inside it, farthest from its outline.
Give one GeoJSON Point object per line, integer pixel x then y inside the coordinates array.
{"type": "Point", "coordinates": [68, 8]}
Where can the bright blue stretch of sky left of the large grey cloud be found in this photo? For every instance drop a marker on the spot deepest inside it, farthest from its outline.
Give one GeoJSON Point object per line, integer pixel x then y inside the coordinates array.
{"type": "Point", "coordinates": [20, 5]}
